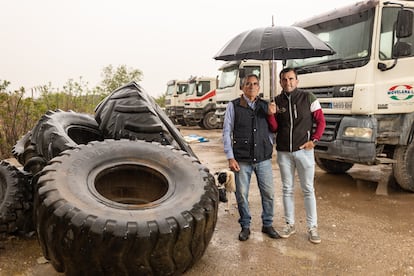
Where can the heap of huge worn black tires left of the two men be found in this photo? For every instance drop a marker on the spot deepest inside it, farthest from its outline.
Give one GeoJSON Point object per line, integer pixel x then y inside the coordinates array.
{"type": "Point", "coordinates": [120, 193]}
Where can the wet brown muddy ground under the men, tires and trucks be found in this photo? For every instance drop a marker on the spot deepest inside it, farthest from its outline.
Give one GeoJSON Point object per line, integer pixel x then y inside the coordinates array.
{"type": "Point", "coordinates": [363, 232]}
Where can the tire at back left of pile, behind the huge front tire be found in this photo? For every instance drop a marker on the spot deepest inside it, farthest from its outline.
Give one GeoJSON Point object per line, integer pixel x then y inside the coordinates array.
{"type": "Point", "coordinates": [55, 132]}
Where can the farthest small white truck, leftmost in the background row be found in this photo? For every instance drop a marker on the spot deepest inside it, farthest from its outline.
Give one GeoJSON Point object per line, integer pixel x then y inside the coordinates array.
{"type": "Point", "coordinates": [174, 100]}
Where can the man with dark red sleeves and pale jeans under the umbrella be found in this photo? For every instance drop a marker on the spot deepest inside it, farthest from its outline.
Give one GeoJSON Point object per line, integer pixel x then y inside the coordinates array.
{"type": "Point", "coordinates": [295, 113]}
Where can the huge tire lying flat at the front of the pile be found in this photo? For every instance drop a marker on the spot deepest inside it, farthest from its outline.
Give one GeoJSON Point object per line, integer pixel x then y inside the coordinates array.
{"type": "Point", "coordinates": [121, 207]}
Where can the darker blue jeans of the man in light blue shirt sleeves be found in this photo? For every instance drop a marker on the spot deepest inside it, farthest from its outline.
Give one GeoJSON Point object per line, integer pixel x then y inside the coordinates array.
{"type": "Point", "coordinates": [264, 176]}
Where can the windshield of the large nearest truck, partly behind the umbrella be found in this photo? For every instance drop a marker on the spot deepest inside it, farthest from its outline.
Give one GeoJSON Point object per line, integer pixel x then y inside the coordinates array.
{"type": "Point", "coordinates": [350, 36]}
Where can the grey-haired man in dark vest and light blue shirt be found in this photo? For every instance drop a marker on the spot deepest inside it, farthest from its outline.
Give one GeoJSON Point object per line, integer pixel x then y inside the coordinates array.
{"type": "Point", "coordinates": [248, 146]}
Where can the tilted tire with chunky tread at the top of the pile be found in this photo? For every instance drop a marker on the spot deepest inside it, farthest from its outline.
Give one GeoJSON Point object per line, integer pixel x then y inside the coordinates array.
{"type": "Point", "coordinates": [129, 112]}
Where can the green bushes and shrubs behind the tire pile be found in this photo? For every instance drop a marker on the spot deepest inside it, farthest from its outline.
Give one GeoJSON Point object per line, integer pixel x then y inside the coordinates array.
{"type": "Point", "coordinates": [21, 109]}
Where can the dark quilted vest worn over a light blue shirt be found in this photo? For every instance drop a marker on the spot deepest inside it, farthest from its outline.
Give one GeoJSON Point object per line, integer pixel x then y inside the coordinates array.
{"type": "Point", "coordinates": [251, 141]}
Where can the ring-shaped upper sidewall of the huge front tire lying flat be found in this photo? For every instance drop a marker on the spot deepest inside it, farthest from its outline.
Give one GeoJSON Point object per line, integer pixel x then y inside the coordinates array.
{"type": "Point", "coordinates": [82, 166]}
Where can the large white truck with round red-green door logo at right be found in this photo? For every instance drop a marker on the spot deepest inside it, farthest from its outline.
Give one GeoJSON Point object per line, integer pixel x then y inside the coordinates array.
{"type": "Point", "coordinates": [366, 88]}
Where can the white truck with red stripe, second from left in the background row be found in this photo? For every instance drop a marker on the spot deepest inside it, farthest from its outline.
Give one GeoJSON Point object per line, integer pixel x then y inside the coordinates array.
{"type": "Point", "coordinates": [200, 102]}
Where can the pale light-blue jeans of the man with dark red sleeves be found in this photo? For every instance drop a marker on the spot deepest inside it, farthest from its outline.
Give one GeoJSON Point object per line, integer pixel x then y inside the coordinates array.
{"type": "Point", "coordinates": [303, 161]}
